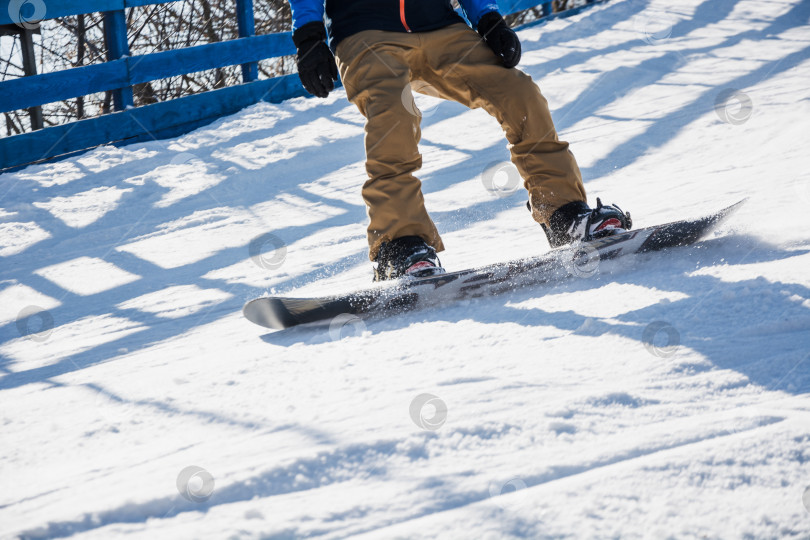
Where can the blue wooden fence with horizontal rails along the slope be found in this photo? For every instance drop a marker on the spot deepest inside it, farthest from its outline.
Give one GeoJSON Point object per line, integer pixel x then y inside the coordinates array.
{"type": "Point", "coordinates": [122, 71]}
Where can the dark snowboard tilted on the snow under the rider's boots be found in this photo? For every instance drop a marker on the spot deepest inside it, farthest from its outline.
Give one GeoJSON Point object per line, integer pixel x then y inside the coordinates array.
{"type": "Point", "coordinates": [581, 259]}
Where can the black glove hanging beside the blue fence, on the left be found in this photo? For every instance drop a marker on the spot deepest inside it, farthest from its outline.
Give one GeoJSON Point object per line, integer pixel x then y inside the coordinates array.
{"type": "Point", "coordinates": [316, 63]}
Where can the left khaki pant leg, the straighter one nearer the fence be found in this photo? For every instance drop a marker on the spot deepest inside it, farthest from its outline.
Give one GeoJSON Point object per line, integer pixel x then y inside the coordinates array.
{"type": "Point", "coordinates": [374, 67]}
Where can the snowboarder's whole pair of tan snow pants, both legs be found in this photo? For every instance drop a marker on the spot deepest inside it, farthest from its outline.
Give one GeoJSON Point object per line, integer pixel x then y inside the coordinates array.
{"type": "Point", "coordinates": [377, 69]}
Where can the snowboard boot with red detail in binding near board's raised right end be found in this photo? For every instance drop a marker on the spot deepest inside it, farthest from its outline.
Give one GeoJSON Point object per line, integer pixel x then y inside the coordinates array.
{"type": "Point", "coordinates": [576, 221]}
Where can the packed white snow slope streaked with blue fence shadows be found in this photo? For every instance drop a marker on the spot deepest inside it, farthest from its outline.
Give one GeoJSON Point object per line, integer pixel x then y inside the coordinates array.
{"type": "Point", "coordinates": [662, 398]}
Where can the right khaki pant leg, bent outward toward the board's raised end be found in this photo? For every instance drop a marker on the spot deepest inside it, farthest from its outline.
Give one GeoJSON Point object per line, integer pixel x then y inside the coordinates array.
{"type": "Point", "coordinates": [462, 67]}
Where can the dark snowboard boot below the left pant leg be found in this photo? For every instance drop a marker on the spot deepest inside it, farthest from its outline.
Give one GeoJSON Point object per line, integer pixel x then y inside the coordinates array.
{"type": "Point", "coordinates": [406, 256]}
